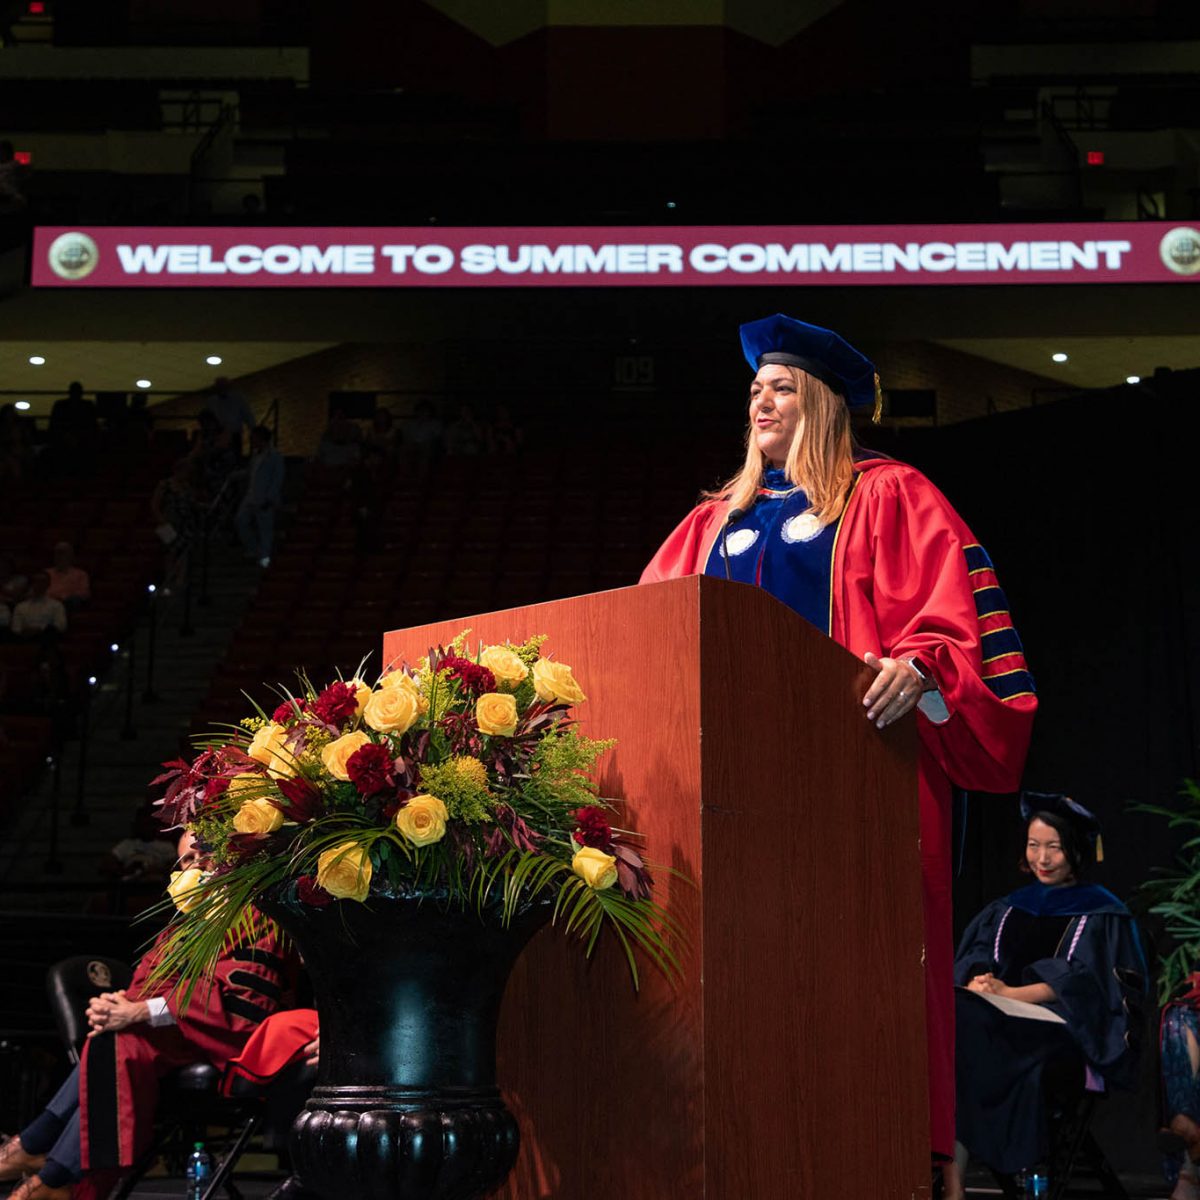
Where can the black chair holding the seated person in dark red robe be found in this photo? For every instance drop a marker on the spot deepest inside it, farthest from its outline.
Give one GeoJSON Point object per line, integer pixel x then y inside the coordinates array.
{"type": "Point", "coordinates": [190, 1099]}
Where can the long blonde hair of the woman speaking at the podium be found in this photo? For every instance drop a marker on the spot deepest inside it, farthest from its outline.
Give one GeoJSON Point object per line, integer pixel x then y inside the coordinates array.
{"type": "Point", "coordinates": [820, 460]}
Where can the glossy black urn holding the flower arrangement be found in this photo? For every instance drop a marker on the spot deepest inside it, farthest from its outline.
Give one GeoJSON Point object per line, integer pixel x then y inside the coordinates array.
{"type": "Point", "coordinates": [409, 991]}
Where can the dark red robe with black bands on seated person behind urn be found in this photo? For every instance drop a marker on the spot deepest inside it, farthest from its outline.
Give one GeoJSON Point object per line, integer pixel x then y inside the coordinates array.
{"type": "Point", "coordinates": [119, 1072]}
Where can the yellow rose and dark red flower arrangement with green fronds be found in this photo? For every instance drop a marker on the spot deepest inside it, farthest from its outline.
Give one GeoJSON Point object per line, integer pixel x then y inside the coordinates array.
{"type": "Point", "coordinates": [463, 779]}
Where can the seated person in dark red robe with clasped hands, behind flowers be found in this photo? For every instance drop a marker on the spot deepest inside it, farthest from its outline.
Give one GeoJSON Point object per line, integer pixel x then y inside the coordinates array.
{"type": "Point", "coordinates": [100, 1123]}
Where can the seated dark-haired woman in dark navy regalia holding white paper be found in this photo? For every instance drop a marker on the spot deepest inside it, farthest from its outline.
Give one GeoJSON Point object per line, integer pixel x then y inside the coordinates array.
{"type": "Point", "coordinates": [1067, 953]}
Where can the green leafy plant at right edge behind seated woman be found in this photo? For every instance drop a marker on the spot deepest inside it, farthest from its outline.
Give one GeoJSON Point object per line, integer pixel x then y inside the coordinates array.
{"type": "Point", "coordinates": [1174, 895]}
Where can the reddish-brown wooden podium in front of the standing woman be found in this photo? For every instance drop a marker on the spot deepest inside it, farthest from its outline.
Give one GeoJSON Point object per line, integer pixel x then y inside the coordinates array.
{"type": "Point", "coordinates": [790, 1063]}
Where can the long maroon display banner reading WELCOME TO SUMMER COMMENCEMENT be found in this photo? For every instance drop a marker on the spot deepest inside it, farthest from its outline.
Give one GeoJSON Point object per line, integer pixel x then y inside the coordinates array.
{"type": "Point", "coordinates": [650, 256]}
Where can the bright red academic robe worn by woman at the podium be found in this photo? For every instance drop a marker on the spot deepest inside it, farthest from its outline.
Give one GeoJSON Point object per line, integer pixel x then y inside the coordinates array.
{"type": "Point", "coordinates": [909, 578]}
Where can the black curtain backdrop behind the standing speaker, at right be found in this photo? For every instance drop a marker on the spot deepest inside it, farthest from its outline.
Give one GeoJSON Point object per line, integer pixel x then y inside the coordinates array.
{"type": "Point", "coordinates": [1088, 508]}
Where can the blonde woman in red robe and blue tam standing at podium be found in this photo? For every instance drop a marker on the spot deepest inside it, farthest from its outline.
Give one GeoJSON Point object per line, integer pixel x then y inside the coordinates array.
{"type": "Point", "coordinates": [872, 554]}
